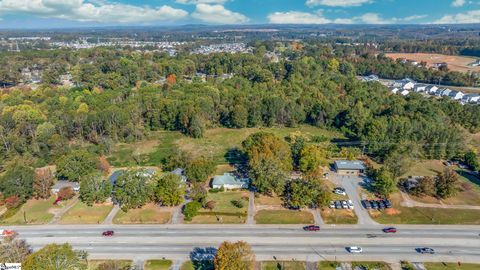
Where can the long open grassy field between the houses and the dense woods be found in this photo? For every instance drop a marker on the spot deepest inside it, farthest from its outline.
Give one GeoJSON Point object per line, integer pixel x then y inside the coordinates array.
{"type": "Point", "coordinates": [217, 143]}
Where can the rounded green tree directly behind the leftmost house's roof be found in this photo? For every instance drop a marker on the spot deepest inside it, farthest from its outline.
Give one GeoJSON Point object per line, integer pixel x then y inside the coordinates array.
{"type": "Point", "coordinates": [76, 164]}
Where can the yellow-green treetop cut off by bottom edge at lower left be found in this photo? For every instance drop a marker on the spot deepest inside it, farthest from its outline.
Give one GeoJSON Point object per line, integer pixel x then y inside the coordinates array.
{"type": "Point", "coordinates": [56, 257]}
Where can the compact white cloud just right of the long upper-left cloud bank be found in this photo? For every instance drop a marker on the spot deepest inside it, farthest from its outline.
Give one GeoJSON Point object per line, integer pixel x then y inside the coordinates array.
{"type": "Point", "coordinates": [218, 14]}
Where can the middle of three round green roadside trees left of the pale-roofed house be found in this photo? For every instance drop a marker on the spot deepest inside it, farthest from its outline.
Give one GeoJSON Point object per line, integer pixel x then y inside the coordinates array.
{"type": "Point", "coordinates": [133, 189]}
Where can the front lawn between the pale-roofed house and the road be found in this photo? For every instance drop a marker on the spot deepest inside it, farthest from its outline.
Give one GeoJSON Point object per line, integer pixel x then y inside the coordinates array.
{"type": "Point", "coordinates": [224, 211]}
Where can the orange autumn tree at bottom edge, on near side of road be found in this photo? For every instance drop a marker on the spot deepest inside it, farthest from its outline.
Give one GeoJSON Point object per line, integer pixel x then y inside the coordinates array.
{"type": "Point", "coordinates": [234, 256]}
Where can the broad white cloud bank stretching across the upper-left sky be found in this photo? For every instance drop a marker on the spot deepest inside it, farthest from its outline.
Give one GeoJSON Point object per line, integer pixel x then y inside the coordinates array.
{"type": "Point", "coordinates": [100, 11]}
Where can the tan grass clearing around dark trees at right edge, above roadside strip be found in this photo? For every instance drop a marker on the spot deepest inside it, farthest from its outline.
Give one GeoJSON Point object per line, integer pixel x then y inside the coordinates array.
{"type": "Point", "coordinates": [469, 188]}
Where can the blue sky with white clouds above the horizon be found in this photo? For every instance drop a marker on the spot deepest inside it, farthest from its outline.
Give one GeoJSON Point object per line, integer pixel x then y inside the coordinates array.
{"type": "Point", "coordinates": [85, 13]}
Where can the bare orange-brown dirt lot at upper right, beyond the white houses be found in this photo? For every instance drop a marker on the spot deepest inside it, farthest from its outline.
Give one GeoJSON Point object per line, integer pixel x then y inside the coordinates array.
{"type": "Point", "coordinates": [455, 63]}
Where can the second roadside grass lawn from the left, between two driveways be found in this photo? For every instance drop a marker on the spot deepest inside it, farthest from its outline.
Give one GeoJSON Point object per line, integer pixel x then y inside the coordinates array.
{"type": "Point", "coordinates": [84, 214]}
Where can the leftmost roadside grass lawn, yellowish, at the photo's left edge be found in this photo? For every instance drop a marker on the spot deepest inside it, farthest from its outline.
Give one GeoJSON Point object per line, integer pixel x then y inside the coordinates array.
{"type": "Point", "coordinates": [35, 211]}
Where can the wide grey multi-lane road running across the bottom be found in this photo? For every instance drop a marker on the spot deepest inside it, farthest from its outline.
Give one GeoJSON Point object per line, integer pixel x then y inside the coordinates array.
{"type": "Point", "coordinates": [451, 243]}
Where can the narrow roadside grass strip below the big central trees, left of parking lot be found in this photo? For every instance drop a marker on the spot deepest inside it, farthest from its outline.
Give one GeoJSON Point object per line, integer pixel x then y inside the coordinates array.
{"type": "Point", "coordinates": [283, 217]}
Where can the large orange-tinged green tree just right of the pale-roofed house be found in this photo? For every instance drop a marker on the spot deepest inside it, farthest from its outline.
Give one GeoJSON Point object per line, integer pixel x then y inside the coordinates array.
{"type": "Point", "coordinates": [269, 162]}
